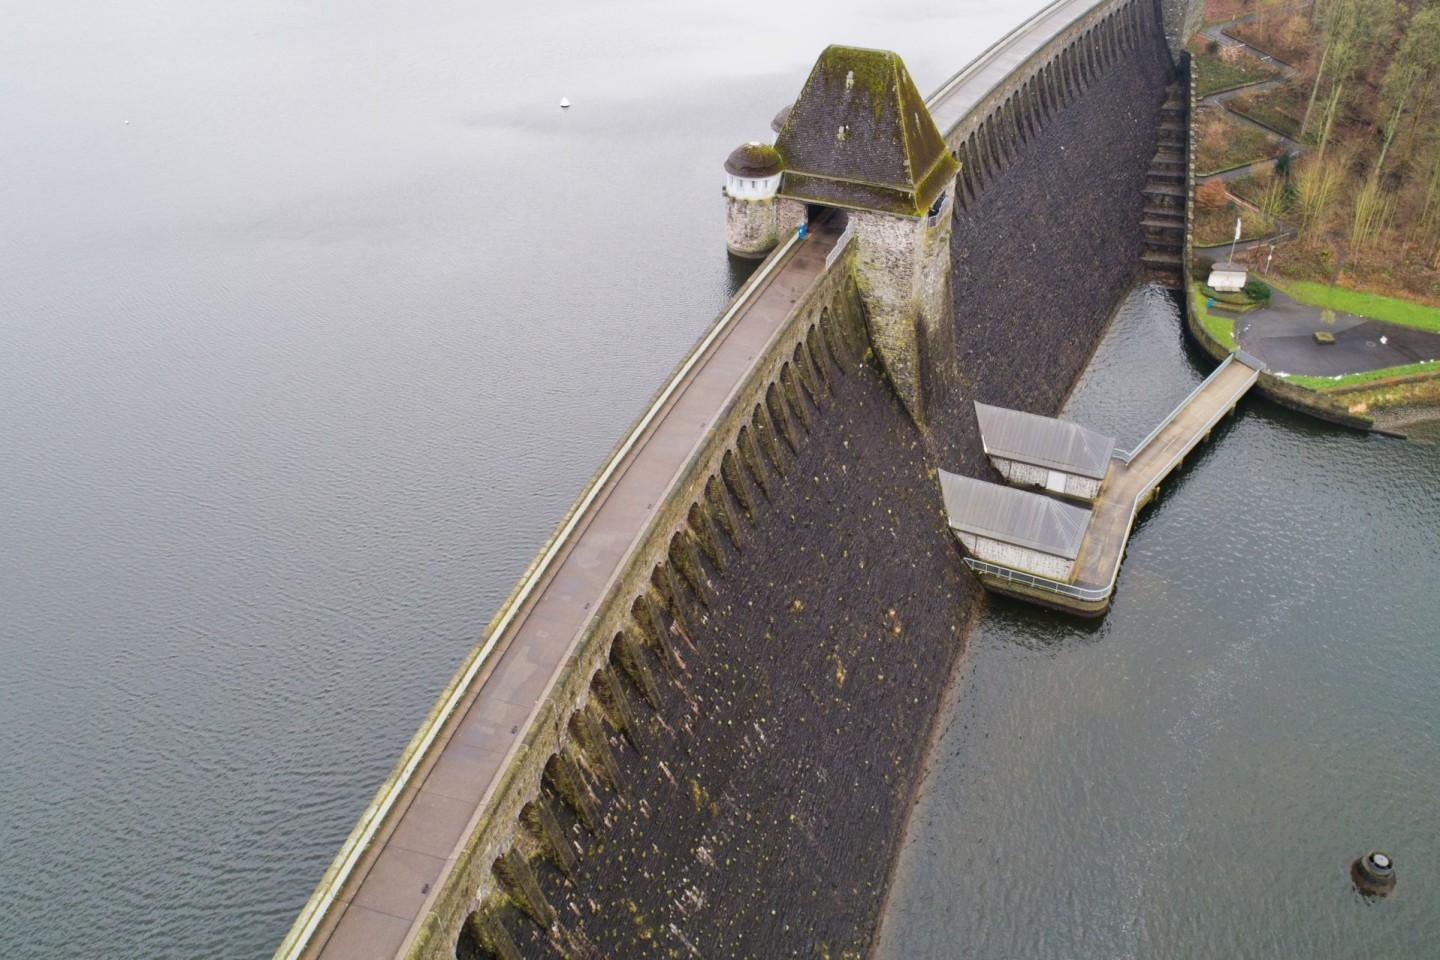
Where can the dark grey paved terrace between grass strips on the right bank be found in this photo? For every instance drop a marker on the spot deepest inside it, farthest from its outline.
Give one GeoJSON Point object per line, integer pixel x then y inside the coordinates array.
{"type": "Point", "coordinates": [1281, 336]}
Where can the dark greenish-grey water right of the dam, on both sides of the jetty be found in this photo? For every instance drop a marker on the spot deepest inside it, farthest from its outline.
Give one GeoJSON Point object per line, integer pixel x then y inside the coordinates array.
{"type": "Point", "coordinates": [1192, 776]}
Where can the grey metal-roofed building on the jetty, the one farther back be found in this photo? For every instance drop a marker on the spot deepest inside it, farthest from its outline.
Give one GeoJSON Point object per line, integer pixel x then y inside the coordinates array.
{"type": "Point", "coordinates": [1036, 451]}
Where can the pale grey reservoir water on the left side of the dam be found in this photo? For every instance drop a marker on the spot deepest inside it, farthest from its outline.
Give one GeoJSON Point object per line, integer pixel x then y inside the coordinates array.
{"type": "Point", "coordinates": [299, 368]}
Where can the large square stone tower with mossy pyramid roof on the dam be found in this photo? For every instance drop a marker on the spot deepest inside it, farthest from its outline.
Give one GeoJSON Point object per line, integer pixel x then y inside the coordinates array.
{"type": "Point", "coordinates": [860, 139]}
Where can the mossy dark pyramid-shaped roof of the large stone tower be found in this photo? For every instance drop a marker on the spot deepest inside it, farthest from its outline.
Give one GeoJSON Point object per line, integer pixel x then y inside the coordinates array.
{"type": "Point", "coordinates": [862, 137]}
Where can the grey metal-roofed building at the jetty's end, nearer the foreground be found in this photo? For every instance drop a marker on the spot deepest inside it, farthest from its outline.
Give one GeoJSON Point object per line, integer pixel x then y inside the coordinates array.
{"type": "Point", "coordinates": [1013, 527]}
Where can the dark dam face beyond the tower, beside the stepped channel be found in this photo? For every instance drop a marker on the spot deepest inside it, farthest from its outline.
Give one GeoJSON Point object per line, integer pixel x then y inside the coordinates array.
{"type": "Point", "coordinates": [1040, 258]}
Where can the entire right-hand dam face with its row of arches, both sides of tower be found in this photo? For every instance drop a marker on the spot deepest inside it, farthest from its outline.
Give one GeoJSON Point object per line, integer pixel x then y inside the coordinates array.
{"type": "Point", "coordinates": [750, 722]}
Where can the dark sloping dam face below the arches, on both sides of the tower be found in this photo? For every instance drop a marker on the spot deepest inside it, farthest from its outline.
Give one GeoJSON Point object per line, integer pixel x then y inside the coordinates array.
{"type": "Point", "coordinates": [780, 716]}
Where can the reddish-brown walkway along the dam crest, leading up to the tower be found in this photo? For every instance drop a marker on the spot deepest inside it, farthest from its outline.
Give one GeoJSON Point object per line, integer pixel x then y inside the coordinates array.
{"type": "Point", "coordinates": [390, 882]}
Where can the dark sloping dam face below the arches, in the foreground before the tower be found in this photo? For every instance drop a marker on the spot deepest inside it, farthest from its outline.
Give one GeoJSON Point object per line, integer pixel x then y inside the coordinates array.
{"type": "Point", "coordinates": [760, 815]}
